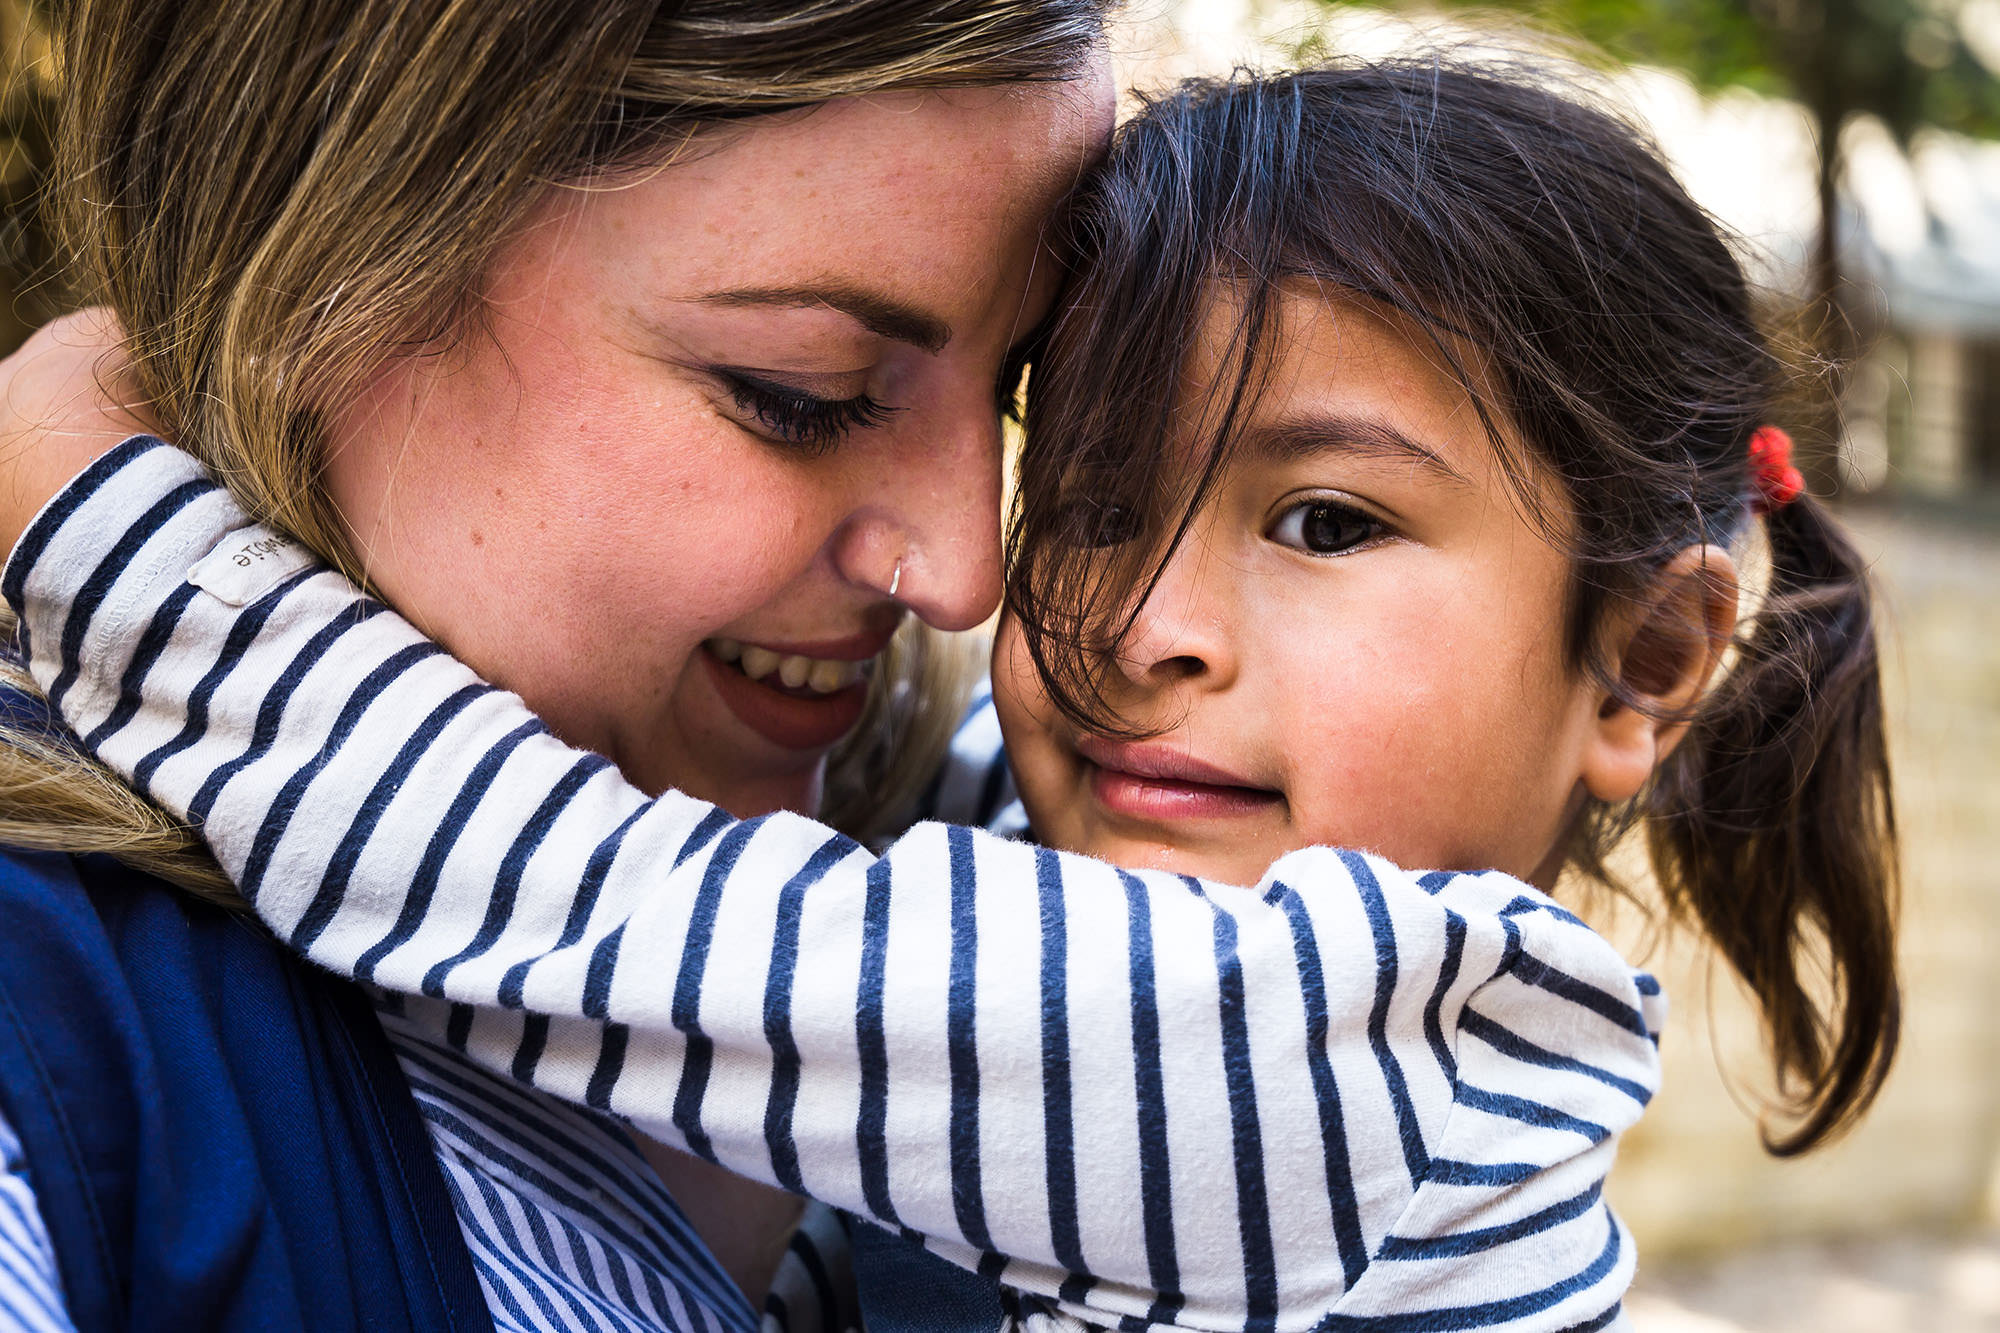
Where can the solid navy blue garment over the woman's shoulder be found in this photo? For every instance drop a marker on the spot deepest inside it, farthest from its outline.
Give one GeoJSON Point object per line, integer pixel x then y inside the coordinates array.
{"type": "Point", "coordinates": [197, 1108]}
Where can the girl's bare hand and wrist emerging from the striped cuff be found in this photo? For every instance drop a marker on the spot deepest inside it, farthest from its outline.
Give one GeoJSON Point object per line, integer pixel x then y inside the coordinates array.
{"type": "Point", "coordinates": [65, 399]}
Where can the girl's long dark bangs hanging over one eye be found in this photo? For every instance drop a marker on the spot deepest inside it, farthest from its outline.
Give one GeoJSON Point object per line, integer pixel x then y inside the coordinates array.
{"type": "Point", "coordinates": [1123, 447]}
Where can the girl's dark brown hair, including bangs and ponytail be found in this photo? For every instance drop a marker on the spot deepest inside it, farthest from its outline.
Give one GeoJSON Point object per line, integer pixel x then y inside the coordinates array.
{"type": "Point", "coordinates": [1559, 269]}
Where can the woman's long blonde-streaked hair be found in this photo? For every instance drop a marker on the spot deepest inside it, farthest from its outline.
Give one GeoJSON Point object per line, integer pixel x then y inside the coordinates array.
{"type": "Point", "coordinates": [273, 195]}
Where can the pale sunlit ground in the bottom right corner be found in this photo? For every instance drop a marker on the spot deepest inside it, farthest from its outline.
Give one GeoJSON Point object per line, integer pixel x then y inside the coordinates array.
{"type": "Point", "coordinates": [1903, 1284]}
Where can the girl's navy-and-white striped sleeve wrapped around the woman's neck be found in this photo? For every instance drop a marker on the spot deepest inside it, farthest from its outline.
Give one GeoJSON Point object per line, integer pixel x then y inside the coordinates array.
{"type": "Point", "coordinates": [1347, 1098]}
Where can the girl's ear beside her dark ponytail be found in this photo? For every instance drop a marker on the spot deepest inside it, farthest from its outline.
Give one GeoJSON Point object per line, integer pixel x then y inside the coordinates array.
{"type": "Point", "coordinates": [1661, 655]}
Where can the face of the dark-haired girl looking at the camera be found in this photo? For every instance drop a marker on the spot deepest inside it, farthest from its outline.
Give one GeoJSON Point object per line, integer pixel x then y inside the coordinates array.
{"type": "Point", "coordinates": [1359, 643]}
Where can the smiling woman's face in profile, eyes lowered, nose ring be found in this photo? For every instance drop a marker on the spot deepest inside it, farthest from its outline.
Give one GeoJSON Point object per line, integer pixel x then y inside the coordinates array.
{"type": "Point", "coordinates": [709, 419]}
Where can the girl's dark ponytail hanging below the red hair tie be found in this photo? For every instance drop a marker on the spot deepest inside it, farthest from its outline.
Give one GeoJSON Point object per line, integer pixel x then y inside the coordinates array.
{"type": "Point", "coordinates": [1777, 832]}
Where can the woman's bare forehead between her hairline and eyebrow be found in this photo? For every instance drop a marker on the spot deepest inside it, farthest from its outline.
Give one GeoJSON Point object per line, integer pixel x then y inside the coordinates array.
{"type": "Point", "coordinates": [911, 201]}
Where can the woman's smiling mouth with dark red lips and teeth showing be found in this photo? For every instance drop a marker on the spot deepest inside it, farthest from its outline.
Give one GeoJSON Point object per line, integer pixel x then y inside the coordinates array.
{"type": "Point", "coordinates": [799, 698]}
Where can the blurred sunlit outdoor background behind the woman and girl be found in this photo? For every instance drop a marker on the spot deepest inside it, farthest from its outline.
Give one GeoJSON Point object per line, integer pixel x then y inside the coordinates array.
{"type": "Point", "coordinates": [1855, 145]}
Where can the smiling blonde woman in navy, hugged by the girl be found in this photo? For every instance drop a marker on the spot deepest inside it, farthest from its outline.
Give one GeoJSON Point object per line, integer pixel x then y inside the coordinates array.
{"type": "Point", "coordinates": [671, 257]}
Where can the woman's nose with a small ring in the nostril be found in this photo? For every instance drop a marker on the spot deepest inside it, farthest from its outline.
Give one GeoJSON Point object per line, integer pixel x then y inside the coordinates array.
{"type": "Point", "coordinates": [927, 525]}
